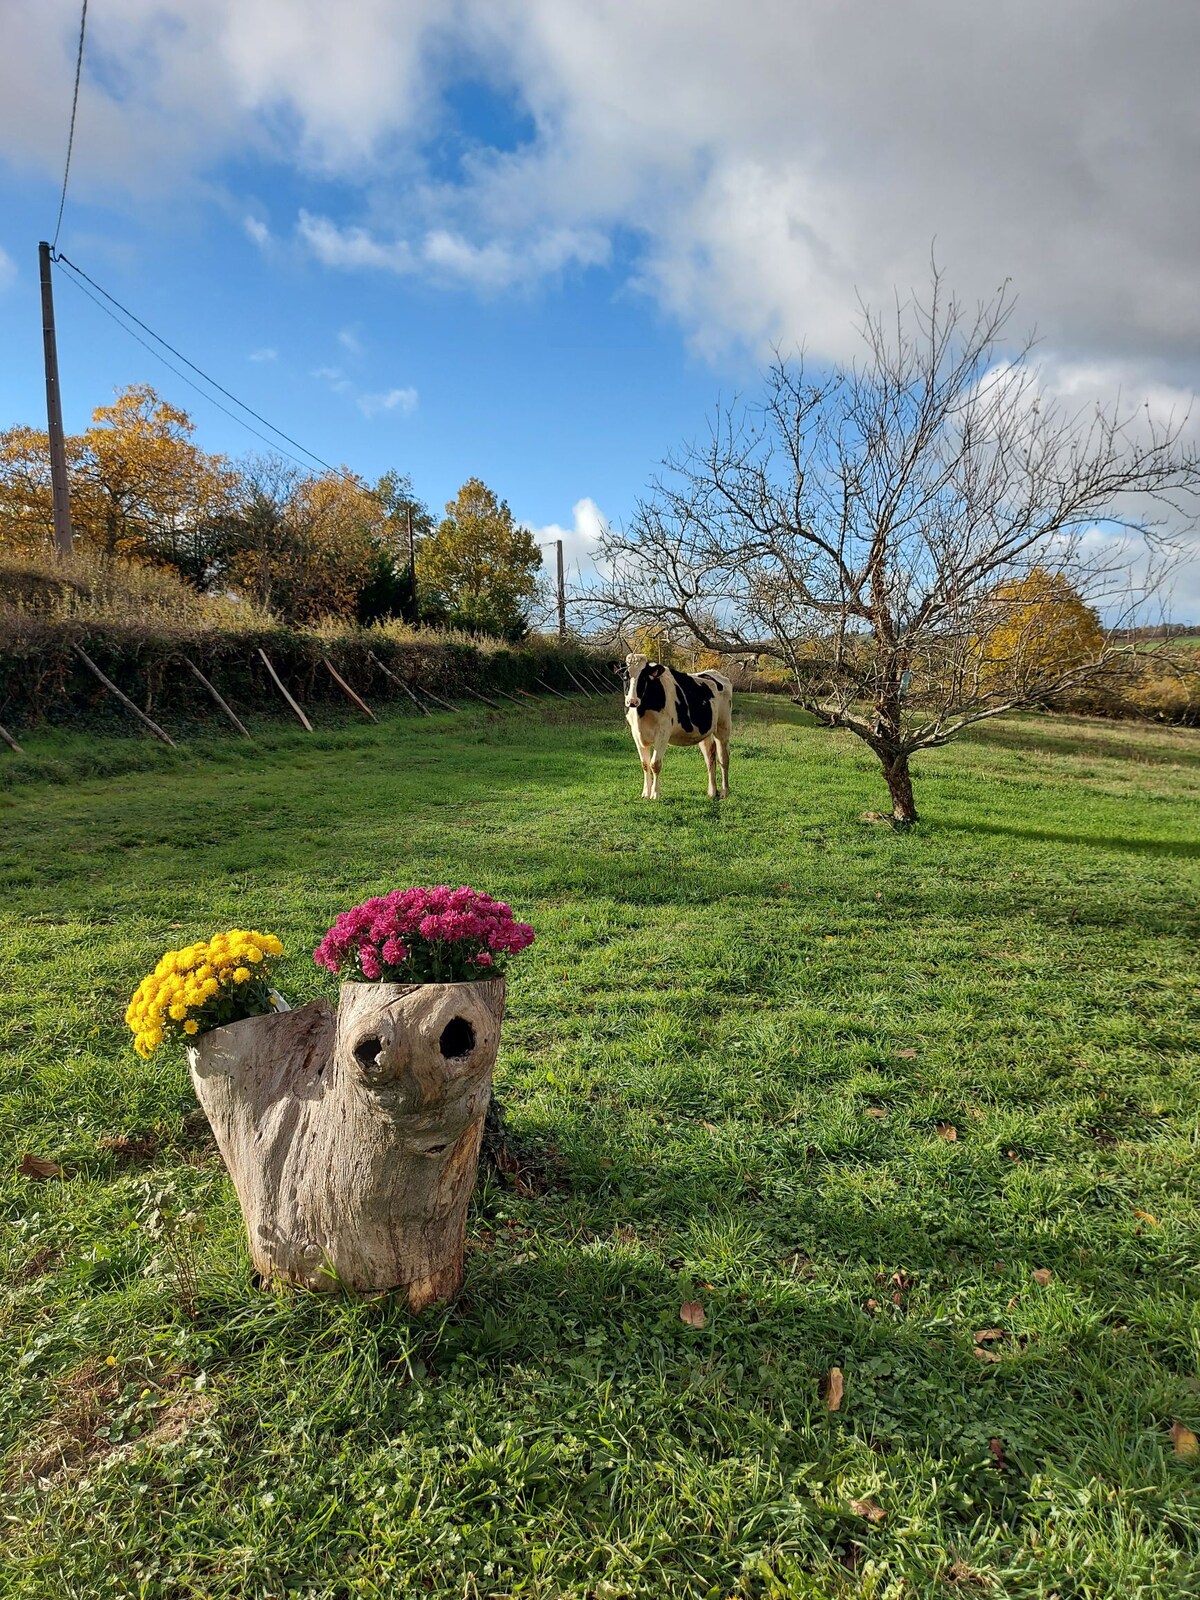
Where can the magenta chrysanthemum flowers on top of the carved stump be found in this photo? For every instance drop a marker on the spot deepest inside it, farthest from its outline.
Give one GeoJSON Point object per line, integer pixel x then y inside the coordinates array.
{"type": "Point", "coordinates": [423, 935]}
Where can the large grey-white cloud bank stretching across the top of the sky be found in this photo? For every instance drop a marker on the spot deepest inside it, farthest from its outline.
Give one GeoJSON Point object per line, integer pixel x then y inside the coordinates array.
{"type": "Point", "coordinates": [764, 166]}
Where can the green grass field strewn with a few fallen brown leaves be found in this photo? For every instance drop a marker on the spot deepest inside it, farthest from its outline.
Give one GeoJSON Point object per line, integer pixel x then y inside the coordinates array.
{"type": "Point", "coordinates": [735, 1042]}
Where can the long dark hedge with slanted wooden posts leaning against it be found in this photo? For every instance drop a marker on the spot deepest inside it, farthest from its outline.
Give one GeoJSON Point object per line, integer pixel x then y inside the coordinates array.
{"type": "Point", "coordinates": [44, 681]}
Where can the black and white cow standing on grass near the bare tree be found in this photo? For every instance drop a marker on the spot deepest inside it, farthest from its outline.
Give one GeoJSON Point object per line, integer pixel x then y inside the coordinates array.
{"type": "Point", "coordinates": [665, 706]}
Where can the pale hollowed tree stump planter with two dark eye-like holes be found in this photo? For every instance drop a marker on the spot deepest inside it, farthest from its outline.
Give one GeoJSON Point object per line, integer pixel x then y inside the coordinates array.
{"type": "Point", "coordinates": [353, 1137]}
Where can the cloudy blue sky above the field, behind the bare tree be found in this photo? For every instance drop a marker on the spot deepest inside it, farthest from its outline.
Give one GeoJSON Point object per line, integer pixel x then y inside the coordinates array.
{"type": "Point", "coordinates": [535, 239]}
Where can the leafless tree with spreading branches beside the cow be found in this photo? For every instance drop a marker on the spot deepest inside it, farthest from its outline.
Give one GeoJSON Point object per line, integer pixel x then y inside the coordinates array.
{"type": "Point", "coordinates": [870, 529]}
